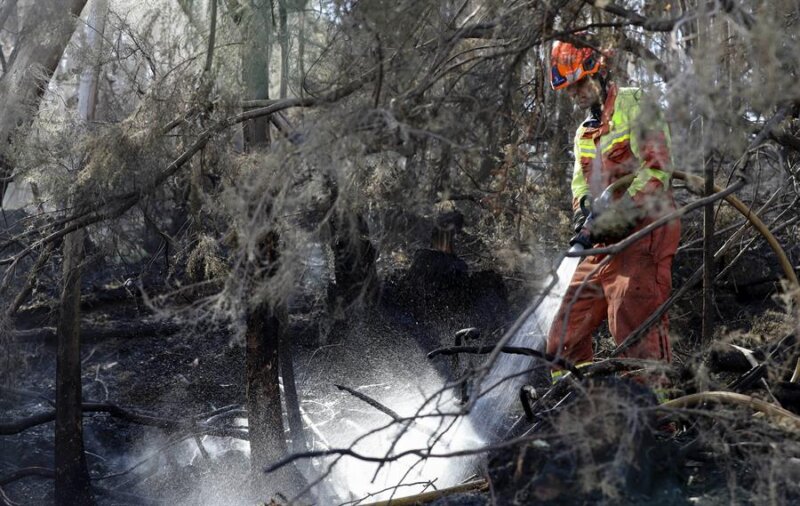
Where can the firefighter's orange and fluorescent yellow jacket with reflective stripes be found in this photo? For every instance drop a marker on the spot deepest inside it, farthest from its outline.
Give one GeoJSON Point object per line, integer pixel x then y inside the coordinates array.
{"type": "Point", "coordinates": [627, 140]}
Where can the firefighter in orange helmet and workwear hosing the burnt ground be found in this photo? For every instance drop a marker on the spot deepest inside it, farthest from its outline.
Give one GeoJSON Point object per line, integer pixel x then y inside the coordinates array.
{"type": "Point", "coordinates": [621, 137]}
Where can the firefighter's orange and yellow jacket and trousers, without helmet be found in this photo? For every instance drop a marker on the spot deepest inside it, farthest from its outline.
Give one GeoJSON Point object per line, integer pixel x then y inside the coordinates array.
{"type": "Point", "coordinates": [638, 280]}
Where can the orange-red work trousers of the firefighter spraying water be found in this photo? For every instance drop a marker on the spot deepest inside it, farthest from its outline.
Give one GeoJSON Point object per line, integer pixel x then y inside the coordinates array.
{"type": "Point", "coordinates": [627, 290]}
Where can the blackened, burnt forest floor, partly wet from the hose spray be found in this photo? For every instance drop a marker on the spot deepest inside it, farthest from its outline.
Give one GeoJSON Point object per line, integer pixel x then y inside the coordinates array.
{"type": "Point", "coordinates": [172, 370]}
